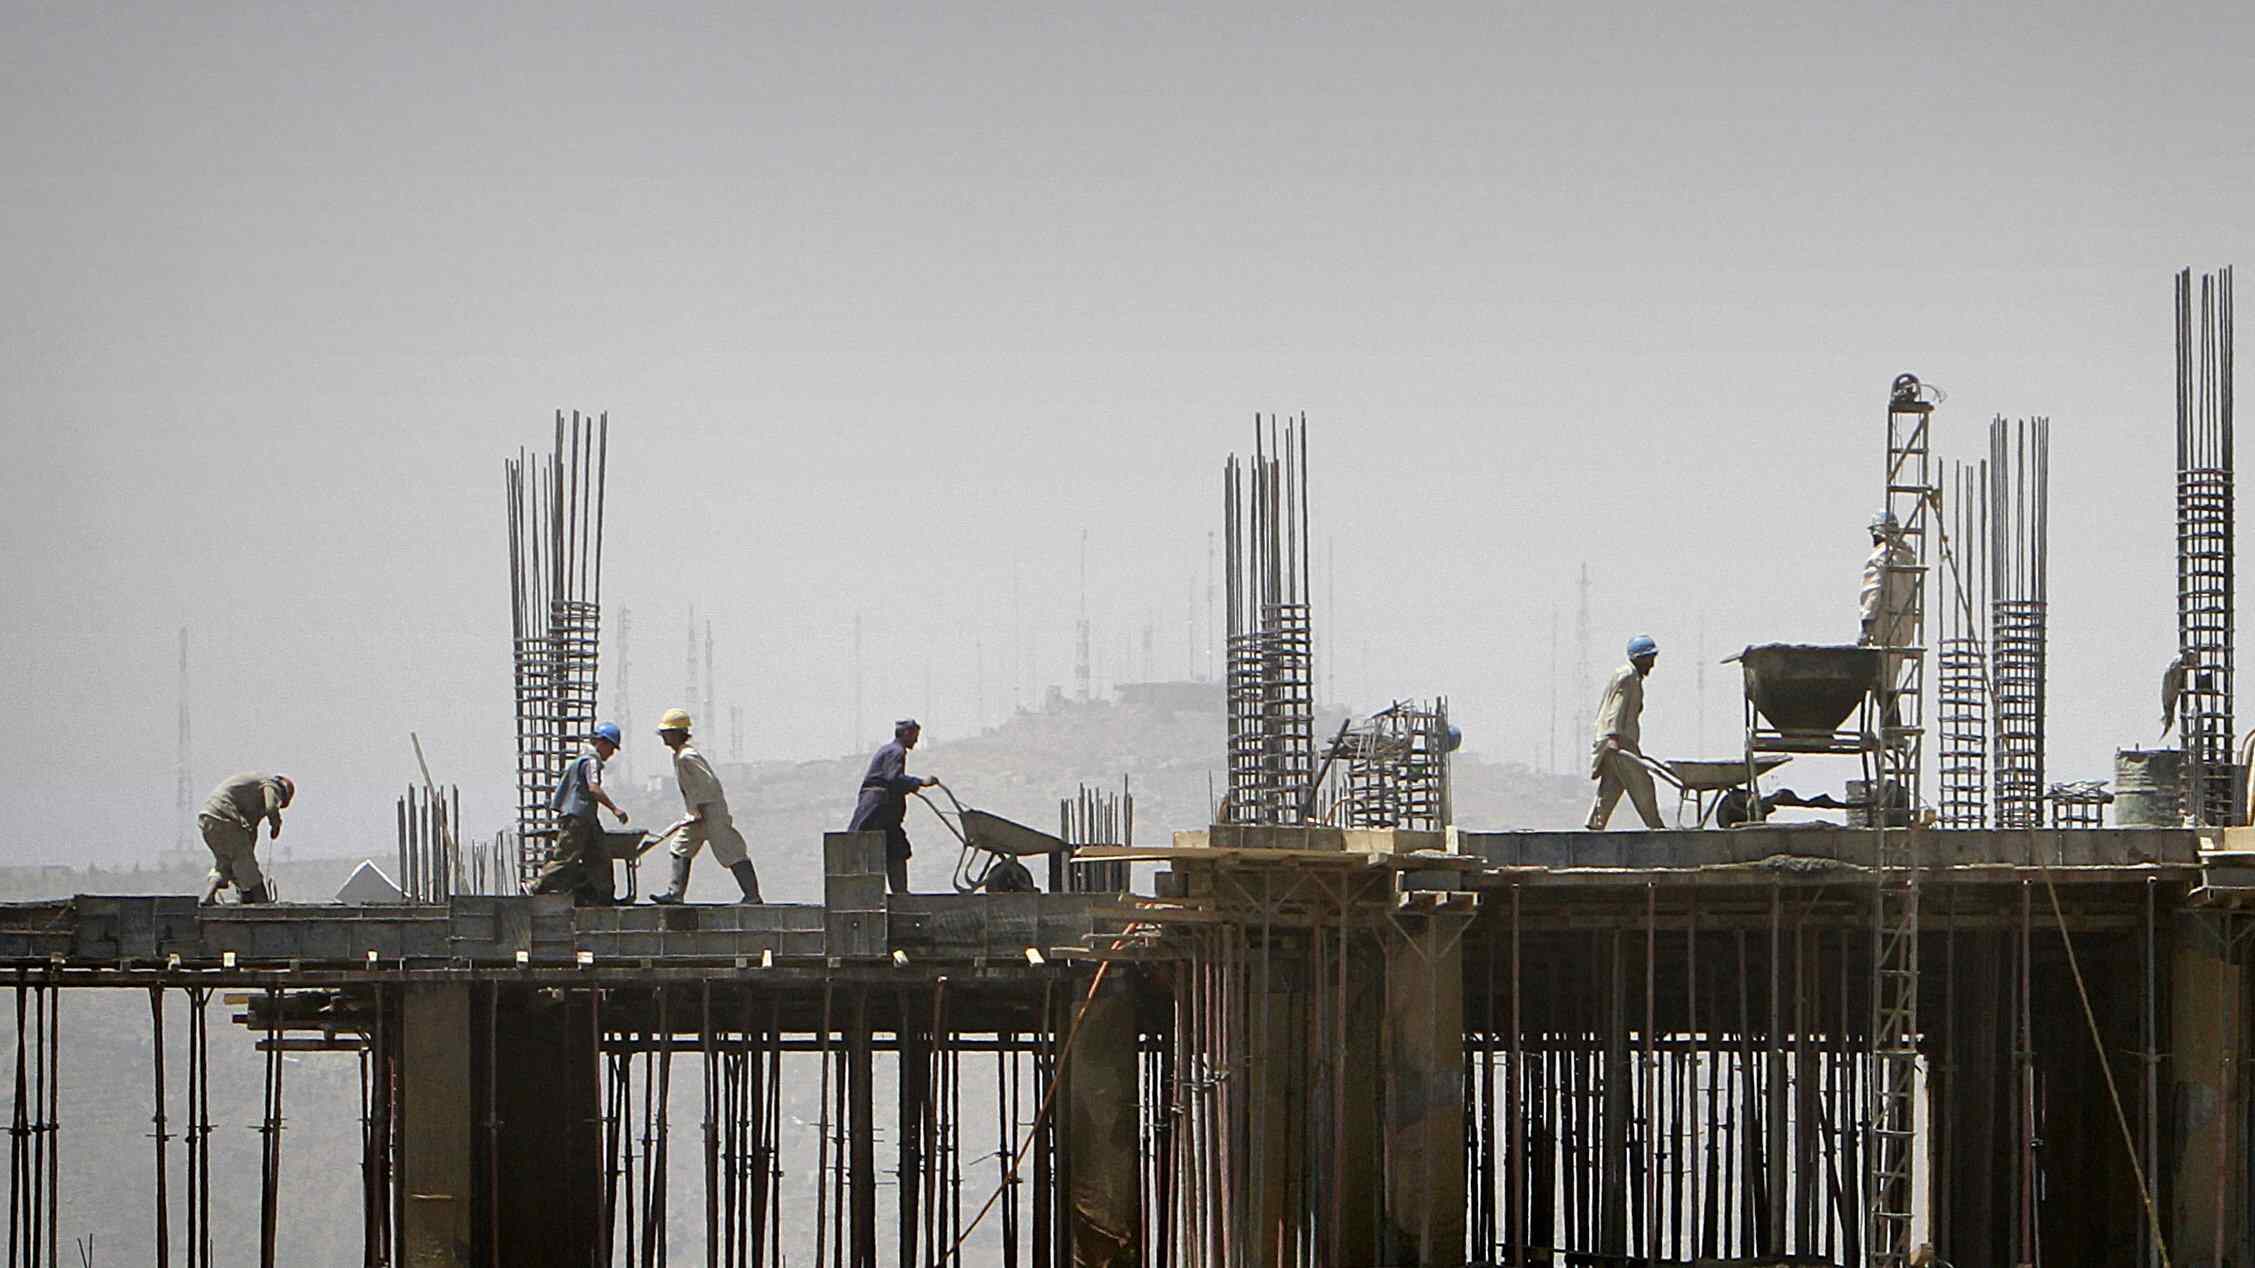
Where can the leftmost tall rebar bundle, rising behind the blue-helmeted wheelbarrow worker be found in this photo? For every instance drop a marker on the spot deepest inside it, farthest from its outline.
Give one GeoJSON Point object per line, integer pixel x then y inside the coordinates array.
{"type": "Point", "coordinates": [556, 592]}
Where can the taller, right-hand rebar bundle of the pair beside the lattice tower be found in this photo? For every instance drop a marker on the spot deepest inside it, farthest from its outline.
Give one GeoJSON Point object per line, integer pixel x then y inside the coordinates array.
{"type": "Point", "coordinates": [2019, 534]}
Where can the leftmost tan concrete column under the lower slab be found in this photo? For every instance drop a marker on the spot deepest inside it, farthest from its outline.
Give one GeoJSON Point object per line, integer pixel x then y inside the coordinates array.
{"type": "Point", "coordinates": [436, 1120]}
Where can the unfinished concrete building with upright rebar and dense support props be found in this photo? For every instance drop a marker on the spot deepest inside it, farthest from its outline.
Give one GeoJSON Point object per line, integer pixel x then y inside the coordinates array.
{"type": "Point", "coordinates": [1974, 1019]}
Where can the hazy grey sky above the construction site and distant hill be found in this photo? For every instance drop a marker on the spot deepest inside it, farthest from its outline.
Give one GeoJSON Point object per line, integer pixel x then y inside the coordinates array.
{"type": "Point", "coordinates": [892, 301]}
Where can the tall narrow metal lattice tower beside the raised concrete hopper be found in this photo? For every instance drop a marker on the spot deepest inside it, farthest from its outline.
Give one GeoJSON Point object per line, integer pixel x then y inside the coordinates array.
{"type": "Point", "coordinates": [1895, 892]}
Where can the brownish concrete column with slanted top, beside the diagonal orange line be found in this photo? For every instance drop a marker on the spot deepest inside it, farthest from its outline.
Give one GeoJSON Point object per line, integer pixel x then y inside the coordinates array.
{"type": "Point", "coordinates": [1102, 1131]}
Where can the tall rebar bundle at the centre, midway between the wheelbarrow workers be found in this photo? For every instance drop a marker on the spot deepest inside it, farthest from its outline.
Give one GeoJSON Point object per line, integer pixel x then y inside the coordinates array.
{"type": "Point", "coordinates": [1271, 637]}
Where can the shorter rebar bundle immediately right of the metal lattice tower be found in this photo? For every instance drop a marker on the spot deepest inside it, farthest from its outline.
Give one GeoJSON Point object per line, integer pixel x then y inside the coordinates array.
{"type": "Point", "coordinates": [1963, 653]}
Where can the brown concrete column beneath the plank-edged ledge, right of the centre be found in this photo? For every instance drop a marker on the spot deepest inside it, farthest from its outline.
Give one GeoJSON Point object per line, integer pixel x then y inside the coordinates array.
{"type": "Point", "coordinates": [1424, 1093]}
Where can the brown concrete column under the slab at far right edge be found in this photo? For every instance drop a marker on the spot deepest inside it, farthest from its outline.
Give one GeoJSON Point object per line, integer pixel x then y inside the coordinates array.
{"type": "Point", "coordinates": [2207, 1039]}
